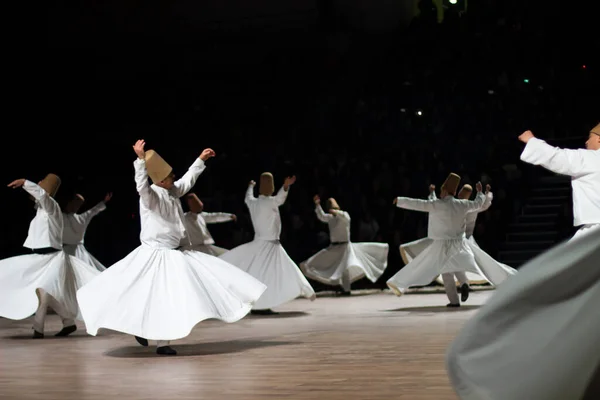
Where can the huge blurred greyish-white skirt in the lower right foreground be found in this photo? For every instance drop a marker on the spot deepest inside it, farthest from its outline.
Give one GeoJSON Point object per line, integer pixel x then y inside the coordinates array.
{"type": "Point", "coordinates": [537, 337]}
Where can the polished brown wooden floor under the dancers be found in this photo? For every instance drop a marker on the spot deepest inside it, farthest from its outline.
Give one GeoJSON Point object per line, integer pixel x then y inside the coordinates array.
{"type": "Point", "coordinates": [372, 347]}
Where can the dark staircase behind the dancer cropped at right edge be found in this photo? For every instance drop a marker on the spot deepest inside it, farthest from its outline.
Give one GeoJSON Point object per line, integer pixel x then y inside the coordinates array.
{"type": "Point", "coordinates": [536, 228]}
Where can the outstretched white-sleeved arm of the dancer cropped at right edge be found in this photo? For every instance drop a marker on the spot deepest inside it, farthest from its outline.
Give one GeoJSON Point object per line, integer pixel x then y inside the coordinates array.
{"type": "Point", "coordinates": [561, 161]}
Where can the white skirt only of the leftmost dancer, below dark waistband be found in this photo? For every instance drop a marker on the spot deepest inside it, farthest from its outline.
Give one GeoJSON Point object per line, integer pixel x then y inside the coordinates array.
{"type": "Point", "coordinates": [58, 274]}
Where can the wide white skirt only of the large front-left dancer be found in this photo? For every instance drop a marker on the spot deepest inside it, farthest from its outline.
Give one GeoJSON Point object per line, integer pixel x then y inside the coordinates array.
{"type": "Point", "coordinates": [161, 294]}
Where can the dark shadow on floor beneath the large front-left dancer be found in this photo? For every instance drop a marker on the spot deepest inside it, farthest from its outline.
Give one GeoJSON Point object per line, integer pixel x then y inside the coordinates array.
{"type": "Point", "coordinates": [196, 349]}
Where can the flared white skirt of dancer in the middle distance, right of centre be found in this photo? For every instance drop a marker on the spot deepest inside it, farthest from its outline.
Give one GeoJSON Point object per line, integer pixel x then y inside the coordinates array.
{"type": "Point", "coordinates": [358, 259]}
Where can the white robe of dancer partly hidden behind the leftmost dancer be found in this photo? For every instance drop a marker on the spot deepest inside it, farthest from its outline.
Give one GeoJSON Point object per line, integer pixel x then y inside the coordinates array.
{"type": "Point", "coordinates": [75, 226]}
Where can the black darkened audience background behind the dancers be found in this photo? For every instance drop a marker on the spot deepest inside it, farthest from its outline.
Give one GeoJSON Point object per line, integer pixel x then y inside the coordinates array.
{"type": "Point", "coordinates": [326, 90]}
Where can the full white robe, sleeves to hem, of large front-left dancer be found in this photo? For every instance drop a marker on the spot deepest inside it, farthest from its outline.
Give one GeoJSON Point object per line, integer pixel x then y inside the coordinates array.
{"type": "Point", "coordinates": [158, 292]}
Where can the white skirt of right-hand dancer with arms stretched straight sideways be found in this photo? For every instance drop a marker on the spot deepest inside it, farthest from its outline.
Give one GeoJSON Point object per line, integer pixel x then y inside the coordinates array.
{"type": "Point", "coordinates": [441, 256]}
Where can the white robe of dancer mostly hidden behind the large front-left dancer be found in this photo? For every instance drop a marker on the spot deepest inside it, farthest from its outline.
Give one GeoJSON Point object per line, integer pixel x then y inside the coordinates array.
{"type": "Point", "coordinates": [199, 237]}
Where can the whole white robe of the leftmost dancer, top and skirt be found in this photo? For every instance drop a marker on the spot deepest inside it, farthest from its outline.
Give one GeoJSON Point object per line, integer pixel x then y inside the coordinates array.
{"type": "Point", "coordinates": [57, 274]}
